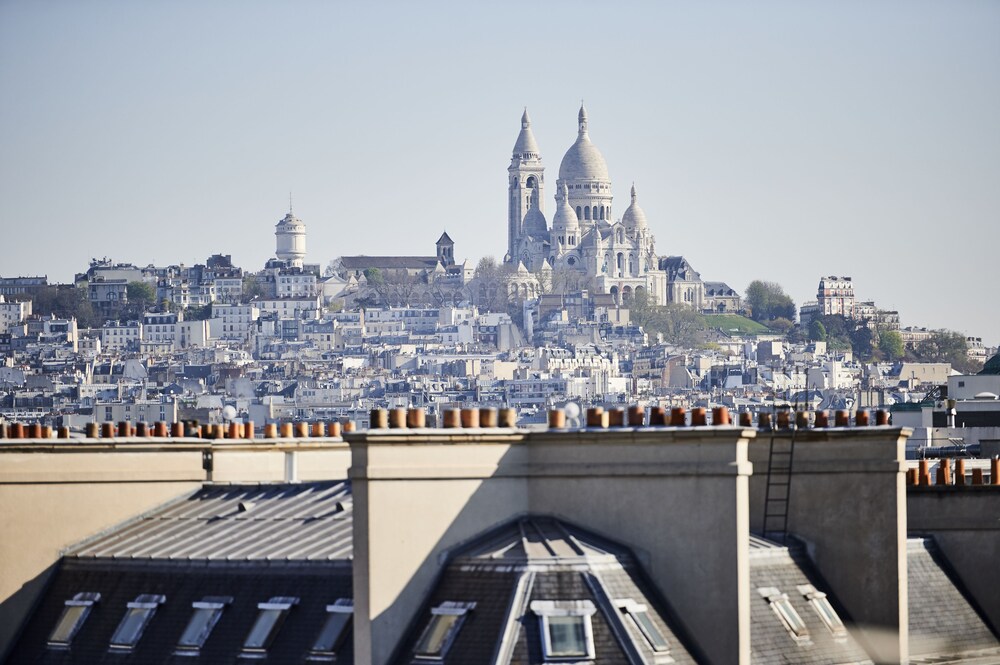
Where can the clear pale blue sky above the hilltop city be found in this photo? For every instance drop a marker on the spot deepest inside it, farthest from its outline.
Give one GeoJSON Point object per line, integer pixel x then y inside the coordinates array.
{"type": "Point", "coordinates": [780, 141]}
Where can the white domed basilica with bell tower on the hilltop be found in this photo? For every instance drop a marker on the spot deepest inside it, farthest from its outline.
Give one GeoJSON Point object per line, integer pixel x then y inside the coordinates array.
{"type": "Point", "coordinates": [616, 255]}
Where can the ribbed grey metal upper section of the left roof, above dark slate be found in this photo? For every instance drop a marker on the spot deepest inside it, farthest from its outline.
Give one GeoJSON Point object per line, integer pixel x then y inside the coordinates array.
{"type": "Point", "coordinates": [300, 522]}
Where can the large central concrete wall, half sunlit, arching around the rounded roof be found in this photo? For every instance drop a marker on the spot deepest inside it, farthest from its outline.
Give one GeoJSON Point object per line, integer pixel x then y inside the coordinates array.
{"type": "Point", "coordinates": [677, 497]}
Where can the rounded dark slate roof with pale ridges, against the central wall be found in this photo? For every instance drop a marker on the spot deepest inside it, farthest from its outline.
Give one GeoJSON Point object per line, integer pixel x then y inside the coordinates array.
{"type": "Point", "coordinates": [540, 558]}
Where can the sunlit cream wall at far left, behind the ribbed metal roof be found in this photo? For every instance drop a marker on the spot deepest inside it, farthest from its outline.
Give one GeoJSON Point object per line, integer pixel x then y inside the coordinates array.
{"type": "Point", "coordinates": [53, 495]}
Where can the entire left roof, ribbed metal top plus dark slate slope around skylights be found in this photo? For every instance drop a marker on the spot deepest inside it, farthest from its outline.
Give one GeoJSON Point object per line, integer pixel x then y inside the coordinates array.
{"type": "Point", "coordinates": [287, 540]}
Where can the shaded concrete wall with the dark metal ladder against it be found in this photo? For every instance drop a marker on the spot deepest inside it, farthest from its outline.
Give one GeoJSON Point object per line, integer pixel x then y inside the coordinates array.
{"type": "Point", "coordinates": [848, 504]}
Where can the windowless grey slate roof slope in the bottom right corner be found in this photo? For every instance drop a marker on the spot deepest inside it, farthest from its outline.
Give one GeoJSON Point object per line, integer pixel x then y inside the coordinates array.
{"type": "Point", "coordinates": [942, 620]}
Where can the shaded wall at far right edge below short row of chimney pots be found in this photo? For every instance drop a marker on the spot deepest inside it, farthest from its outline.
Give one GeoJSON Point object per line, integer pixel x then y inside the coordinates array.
{"type": "Point", "coordinates": [963, 522]}
